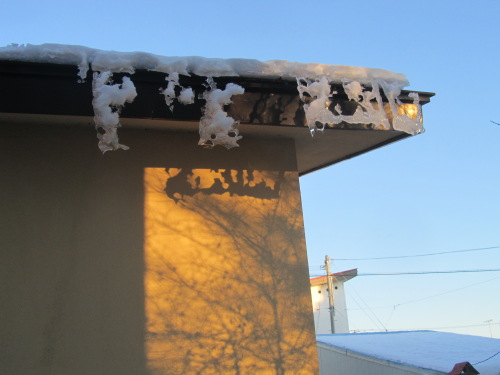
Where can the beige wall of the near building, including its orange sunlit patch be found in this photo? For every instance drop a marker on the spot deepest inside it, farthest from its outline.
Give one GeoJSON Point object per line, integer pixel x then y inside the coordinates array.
{"type": "Point", "coordinates": [164, 259]}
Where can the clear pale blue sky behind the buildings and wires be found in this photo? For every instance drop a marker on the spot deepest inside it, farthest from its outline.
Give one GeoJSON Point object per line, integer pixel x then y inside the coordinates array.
{"type": "Point", "coordinates": [438, 191]}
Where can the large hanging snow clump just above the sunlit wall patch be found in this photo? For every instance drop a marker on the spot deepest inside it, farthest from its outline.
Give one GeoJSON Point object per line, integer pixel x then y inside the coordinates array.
{"type": "Point", "coordinates": [216, 127]}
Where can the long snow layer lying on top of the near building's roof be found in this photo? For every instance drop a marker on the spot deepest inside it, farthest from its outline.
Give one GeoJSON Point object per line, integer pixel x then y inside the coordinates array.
{"type": "Point", "coordinates": [128, 62]}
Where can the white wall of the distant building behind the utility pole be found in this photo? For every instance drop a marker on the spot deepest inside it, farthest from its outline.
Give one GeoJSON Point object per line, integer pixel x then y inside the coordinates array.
{"type": "Point", "coordinates": [322, 323]}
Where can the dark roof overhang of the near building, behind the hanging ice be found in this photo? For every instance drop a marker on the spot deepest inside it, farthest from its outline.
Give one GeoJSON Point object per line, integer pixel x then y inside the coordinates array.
{"type": "Point", "coordinates": [270, 108]}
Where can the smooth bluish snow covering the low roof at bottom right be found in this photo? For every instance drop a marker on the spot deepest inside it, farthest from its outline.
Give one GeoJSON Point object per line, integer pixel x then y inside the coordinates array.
{"type": "Point", "coordinates": [438, 351]}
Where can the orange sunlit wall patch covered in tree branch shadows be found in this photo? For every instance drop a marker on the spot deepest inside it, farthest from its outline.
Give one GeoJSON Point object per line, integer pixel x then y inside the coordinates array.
{"type": "Point", "coordinates": [227, 288]}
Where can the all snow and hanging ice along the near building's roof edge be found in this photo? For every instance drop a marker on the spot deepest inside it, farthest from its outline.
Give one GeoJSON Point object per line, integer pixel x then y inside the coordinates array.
{"type": "Point", "coordinates": [362, 86]}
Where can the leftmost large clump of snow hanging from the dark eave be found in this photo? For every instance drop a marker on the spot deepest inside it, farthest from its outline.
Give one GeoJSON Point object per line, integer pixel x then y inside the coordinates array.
{"type": "Point", "coordinates": [107, 102]}
